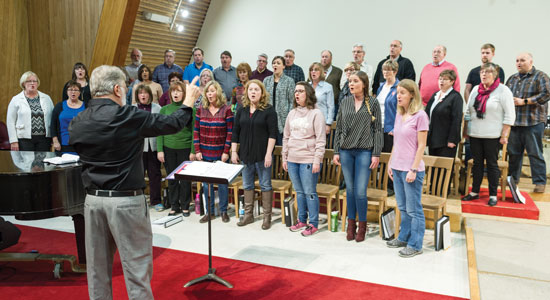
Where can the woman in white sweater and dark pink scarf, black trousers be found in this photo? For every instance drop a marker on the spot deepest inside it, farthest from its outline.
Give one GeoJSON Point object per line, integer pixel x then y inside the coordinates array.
{"type": "Point", "coordinates": [487, 122]}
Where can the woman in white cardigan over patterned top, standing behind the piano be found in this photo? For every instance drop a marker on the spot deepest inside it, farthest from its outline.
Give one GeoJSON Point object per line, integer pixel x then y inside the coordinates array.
{"type": "Point", "coordinates": [29, 117]}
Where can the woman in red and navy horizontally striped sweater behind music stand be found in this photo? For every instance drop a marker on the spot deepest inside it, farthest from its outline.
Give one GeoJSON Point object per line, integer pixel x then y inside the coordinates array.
{"type": "Point", "coordinates": [212, 139]}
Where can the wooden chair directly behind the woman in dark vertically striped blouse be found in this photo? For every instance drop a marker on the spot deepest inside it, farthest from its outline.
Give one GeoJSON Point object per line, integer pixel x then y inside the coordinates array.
{"type": "Point", "coordinates": [377, 189]}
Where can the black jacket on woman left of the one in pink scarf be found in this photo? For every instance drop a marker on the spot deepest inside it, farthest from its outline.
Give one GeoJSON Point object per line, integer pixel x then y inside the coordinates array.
{"type": "Point", "coordinates": [446, 120]}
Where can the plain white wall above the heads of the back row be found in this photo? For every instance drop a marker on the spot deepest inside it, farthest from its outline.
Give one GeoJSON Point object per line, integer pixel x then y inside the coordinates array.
{"type": "Point", "coordinates": [249, 27]}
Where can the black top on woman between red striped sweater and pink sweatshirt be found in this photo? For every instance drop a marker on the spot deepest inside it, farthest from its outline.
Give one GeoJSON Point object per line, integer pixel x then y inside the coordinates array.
{"type": "Point", "coordinates": [254, 132]}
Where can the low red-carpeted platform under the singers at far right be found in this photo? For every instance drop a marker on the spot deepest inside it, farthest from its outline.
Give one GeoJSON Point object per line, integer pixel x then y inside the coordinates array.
{"type": "Point", "coordinates": [503, 209]}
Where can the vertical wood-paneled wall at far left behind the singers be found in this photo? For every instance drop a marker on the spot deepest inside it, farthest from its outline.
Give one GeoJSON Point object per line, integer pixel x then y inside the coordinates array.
{"type": "Point", "coordinates": [47, 37]}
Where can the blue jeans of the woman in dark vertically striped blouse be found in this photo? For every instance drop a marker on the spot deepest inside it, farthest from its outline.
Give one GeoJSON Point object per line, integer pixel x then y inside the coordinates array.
{"type": "Point", "coordinates": [355, 165]}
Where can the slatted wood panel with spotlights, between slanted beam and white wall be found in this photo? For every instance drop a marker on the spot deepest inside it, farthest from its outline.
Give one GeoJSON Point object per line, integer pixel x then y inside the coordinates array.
{"type": "Point", "coordinates": [154, 38]}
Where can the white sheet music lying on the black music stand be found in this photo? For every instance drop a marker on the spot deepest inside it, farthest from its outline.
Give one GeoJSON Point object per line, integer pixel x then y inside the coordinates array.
{"type": "Point", "coordinates": [211, 172]}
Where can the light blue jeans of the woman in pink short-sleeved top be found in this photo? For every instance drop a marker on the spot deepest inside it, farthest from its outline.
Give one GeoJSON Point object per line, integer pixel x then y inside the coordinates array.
{"type": "Point", "coordinates": [409, 201]}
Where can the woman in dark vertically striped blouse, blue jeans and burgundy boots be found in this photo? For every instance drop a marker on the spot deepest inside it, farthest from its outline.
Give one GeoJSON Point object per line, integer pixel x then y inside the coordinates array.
{"type": "Point", "coordinates": [357, 145]}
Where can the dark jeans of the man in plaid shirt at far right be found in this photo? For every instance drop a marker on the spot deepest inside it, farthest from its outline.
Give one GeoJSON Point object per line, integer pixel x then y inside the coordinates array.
{"type": "Point", "coordinates": [527, 138]}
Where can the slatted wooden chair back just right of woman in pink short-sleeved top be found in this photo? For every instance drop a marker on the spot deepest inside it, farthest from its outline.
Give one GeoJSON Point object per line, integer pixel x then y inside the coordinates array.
{"type": "Point", "coordinates": [438, 175]}
